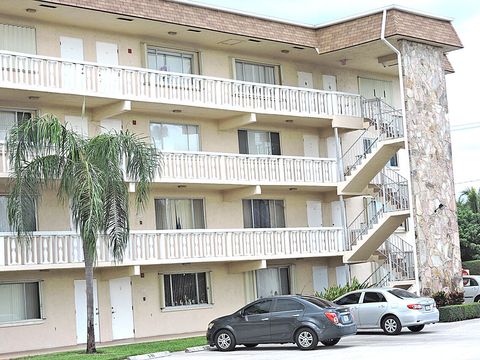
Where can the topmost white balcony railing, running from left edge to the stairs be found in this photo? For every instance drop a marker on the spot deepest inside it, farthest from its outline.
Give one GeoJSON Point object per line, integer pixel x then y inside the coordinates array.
{"type": "Point", "coordinates": [41, 73]}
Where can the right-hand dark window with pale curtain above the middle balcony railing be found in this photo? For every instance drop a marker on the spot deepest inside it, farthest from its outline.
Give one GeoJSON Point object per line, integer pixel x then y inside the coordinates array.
{"type": "Point", "coordinates": [258, 142]}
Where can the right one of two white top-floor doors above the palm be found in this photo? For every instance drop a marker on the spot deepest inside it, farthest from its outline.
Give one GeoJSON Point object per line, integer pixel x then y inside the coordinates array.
{"type": "Point", "coordinates": [107, 54]}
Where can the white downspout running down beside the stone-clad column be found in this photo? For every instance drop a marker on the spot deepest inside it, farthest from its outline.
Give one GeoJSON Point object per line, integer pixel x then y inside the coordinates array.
{"type": "Point", "coordinates": [402, 100]}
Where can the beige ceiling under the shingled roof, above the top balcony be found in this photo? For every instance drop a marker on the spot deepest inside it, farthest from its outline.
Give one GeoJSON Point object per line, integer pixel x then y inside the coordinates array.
{"type": "Point", "coordinates": [363, 57]}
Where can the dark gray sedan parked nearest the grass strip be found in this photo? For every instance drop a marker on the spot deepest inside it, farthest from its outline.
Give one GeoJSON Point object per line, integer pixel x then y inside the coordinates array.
{"type": "Point", "coordinates": [302, 320]}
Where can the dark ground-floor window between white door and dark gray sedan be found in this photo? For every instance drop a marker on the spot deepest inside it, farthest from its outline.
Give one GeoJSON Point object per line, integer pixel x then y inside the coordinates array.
{"type": "Point", "coordinates": [186, 289]}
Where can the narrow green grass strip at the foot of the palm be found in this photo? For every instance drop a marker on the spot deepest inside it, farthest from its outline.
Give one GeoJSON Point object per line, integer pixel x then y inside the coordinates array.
{"type": "Point", "coordinates": [123, 351]}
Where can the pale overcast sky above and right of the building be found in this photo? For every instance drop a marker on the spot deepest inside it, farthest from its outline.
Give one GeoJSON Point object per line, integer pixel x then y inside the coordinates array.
{"type": "Point", "coordinates": [463, 86]}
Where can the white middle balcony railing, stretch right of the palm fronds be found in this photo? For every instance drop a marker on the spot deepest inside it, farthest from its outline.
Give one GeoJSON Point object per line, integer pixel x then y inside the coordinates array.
{"type": "Point", "coordinates": [207, 167]}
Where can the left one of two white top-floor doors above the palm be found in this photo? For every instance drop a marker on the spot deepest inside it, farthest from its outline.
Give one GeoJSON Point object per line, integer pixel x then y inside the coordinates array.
{"type": "Point", "coordinates": [73, 76]}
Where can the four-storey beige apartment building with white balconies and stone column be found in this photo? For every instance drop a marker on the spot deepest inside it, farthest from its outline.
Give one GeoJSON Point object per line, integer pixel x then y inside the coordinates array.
{"type": "Point", "coordinates": [284, 160]}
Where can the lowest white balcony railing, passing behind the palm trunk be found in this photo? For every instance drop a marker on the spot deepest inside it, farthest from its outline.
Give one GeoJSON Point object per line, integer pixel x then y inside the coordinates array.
{"type": "Point", "coordinates": [64, 249]}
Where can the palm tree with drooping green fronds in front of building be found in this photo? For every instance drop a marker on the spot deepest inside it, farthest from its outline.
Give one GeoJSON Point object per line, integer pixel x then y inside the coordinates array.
{"type": "Point", "coordinates": [89, 176]}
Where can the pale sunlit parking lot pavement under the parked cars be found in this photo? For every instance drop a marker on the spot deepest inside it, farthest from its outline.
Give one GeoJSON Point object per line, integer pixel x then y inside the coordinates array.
{"type": "Point", "coordinates": [458, 341]}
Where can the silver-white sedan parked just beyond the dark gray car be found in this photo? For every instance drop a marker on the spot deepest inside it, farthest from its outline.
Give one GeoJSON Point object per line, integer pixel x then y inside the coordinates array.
{"type": "Point", "coordinates": [390, 309]}
